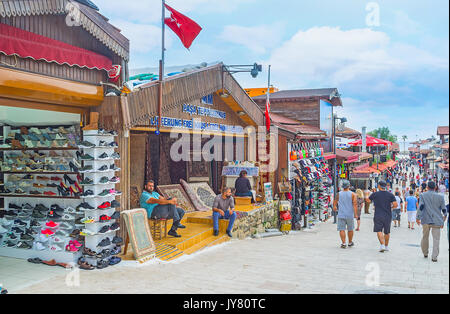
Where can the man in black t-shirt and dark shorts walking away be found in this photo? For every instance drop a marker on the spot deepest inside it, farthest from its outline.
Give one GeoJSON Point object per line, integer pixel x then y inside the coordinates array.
{"type": "Point", "coordinates": [383, 202]}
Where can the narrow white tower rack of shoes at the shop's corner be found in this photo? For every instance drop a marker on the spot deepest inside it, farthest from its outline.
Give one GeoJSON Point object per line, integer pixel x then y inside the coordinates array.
{"type": "Point", "coordinates": [100, 198]}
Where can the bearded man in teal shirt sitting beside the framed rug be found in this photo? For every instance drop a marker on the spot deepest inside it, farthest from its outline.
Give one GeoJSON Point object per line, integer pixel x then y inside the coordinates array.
{"type": "Point", "coordinates": [161, 208]}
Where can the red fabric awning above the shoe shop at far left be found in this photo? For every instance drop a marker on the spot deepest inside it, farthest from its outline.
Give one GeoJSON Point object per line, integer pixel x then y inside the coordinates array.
{"type": "Point", "coordinates": [16, 41]}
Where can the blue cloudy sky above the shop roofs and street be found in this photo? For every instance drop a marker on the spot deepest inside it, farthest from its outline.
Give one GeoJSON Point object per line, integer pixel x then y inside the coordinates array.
{"type": "Point", "coordinates": [391, 68]}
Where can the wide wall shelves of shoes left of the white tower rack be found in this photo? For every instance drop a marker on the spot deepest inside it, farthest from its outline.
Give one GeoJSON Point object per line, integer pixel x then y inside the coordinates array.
{"type": "Point", "coordinates": [39, 192]}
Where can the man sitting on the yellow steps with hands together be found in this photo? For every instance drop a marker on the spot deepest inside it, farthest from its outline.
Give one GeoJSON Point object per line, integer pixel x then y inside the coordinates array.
{"type": "Point", "coordinates": [223, 208]}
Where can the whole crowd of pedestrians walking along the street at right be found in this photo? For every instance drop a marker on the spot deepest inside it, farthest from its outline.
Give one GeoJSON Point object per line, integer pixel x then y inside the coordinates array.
{"type": "Point", "coordinates": [417, 192]}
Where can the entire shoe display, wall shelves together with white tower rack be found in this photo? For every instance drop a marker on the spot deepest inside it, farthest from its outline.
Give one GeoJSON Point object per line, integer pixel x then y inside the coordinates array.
{"type": "Point", "coordinates": [52, 197]}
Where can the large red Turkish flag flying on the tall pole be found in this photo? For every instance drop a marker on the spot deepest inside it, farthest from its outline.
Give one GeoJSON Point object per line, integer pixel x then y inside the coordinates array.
{"type": "Point", "coordinates": [185, 28]}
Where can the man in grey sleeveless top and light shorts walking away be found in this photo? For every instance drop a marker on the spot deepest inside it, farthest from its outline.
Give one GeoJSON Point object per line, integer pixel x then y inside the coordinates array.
{"type": "Point", "coordinates": [346, 206]}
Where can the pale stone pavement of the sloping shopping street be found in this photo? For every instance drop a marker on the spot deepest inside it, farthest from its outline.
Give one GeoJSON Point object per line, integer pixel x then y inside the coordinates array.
{"type": "Point", "coordinates": [301, 262]}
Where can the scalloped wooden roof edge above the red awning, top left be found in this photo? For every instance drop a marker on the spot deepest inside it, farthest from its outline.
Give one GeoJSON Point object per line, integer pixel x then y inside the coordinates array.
{"type": "Point", "coordinates": [91, 20]}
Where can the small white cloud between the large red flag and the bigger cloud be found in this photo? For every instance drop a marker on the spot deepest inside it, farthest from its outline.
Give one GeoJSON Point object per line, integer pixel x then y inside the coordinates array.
{"type": "Point", "coordinates": [258, 39]}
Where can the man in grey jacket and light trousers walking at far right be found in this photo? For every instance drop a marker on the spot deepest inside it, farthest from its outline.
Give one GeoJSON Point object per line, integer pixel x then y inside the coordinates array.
{"type": "Point", "coordinates": [430, 215]}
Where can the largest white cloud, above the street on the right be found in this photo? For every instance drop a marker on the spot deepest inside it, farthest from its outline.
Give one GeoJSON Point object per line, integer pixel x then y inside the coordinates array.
{"type": "Point", "coordinates": [359, 59]}
